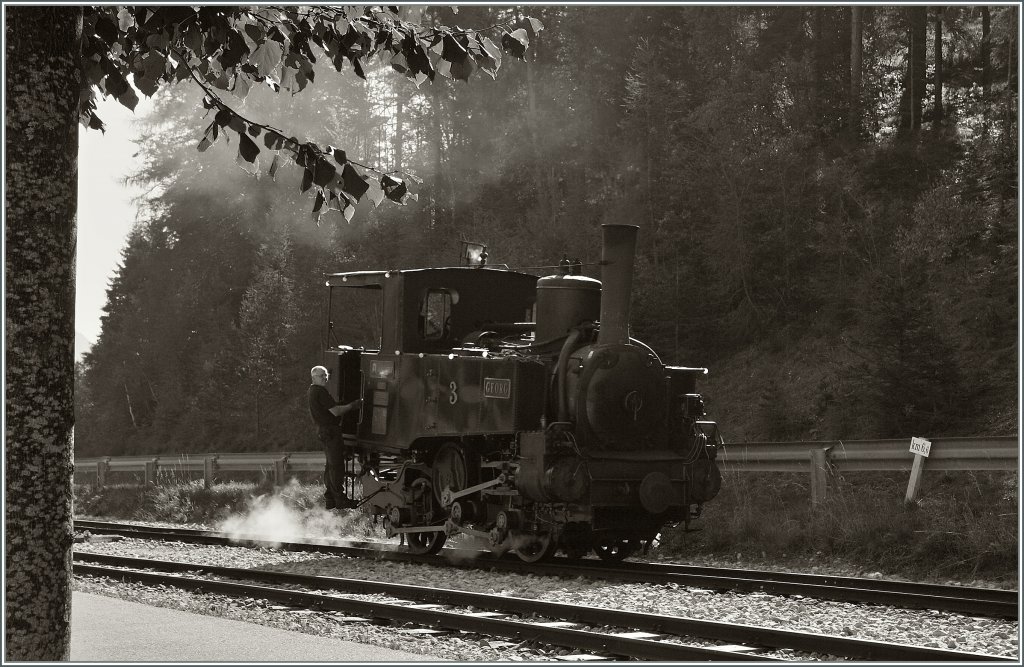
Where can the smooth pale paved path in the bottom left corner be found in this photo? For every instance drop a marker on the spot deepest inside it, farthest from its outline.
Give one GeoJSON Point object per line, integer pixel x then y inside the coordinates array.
{"type": "Point", "coordinates": [108, 630]}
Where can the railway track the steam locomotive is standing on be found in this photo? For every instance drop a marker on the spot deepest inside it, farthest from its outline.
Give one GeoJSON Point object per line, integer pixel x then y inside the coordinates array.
{"type": "Point", "coordinates": [962, 600]}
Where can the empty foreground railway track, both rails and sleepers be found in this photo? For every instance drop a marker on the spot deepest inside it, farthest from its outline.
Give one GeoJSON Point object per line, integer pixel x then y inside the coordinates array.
{"type": "Point", "coordinates": [607, 633]}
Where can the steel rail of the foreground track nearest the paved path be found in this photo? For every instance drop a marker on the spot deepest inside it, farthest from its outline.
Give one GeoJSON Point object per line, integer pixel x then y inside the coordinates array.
{"type": "Point", "coordinates": [580, 640]}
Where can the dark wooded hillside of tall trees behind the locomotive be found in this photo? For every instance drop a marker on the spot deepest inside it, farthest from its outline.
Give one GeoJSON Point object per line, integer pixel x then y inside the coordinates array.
{"type": "Point", "coordinates": [827, 199]}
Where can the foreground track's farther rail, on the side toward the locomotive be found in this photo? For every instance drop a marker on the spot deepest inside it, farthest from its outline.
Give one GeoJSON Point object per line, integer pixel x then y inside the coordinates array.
{"type": "Point", "coordinates": [655, 623]}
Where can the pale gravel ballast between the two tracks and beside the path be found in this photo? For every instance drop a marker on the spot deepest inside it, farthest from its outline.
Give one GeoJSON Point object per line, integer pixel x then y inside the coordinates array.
{"type": "Point", "coordinates": [925, 629]}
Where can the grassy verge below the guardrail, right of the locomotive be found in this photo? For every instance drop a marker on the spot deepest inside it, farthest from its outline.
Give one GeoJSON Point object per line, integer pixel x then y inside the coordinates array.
{"type": "Point", "coordinates": [964, 527]}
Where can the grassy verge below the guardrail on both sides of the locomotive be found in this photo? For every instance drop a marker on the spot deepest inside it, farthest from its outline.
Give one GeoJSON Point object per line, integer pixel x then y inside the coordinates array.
{"type": "Point", "coordinates": [964, 528]}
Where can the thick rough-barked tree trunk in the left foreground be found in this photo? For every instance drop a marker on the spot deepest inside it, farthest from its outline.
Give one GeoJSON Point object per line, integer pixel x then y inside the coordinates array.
{"type": "Point", "coordinates": [41, 199]}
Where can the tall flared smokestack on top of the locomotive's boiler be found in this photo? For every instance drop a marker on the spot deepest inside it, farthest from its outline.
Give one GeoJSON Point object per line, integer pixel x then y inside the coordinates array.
{"type": "Point", "coordinates": [617, 282]}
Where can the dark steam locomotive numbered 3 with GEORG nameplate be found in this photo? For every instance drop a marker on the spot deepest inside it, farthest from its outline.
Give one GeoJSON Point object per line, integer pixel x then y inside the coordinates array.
{"type": "Point", "coordinates": [518, 410]}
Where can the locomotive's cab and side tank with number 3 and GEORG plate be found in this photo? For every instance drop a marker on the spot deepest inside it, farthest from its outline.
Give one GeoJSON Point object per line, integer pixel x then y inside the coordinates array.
{"type": "Point", "coordinates": [412, 391]}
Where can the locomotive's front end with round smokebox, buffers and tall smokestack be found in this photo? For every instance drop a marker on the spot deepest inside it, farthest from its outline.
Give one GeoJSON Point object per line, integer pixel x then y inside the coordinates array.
{"type": "Point", "coordinates": [630, 450]}
